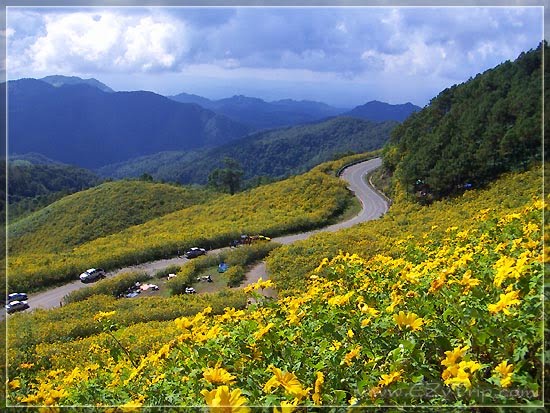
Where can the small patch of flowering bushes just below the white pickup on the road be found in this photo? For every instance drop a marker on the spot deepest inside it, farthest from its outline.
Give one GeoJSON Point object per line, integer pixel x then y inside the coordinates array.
{"type": "Point", "coordinates": [112, 286]}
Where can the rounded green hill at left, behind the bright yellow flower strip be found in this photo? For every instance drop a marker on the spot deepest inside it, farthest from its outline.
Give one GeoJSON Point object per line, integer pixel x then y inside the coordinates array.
{"type": "Point", "coordinates": [97, 212]}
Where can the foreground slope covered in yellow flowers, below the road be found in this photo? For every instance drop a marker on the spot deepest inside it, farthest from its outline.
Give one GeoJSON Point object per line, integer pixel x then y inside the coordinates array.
{"type": "Point", "coordinates": [377, 314]}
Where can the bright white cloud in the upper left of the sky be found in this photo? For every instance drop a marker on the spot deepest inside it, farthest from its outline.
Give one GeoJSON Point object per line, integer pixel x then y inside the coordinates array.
{"type": "Point", "coordinates": [106, 41]}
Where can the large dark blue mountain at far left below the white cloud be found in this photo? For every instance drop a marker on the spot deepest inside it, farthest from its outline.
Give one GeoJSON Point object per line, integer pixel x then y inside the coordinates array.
{"type": "Point", "coordinates": [82, 125]}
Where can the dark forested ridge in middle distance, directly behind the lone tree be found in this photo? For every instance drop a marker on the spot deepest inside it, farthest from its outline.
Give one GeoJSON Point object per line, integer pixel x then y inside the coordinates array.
{"type": "Point", "coordinates": [274, 153]}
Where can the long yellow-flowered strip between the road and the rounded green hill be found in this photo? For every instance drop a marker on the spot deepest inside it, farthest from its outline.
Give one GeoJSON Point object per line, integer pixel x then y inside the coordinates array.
{"type": "Point", "coordinates": [291, 205]}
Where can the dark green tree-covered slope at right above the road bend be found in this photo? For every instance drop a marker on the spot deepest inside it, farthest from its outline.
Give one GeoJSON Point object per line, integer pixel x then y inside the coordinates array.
{"type": "Point", "coordinates": [471, 133]}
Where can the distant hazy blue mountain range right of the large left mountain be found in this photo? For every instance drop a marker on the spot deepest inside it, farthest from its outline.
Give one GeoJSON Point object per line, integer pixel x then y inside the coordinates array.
{"type": "Point", "coordinates": [259, 114]}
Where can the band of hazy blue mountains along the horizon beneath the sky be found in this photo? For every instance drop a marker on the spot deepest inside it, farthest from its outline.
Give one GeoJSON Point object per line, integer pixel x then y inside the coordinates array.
{"type": "Point", "coordinates": [84, 122]}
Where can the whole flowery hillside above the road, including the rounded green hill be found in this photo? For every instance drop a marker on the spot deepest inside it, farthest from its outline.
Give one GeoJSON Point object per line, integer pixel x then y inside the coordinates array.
{"type": "Point", "coordinates": [40, 258]}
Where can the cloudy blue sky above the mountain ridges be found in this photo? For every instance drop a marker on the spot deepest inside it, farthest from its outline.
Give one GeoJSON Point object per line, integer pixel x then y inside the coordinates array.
{"type": "Point", "coordinates": [343, 56]}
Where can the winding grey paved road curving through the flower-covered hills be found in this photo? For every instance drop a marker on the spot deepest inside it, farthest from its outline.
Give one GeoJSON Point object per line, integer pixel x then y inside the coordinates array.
{"type": "Point", "coordinates": [373, 203]}
